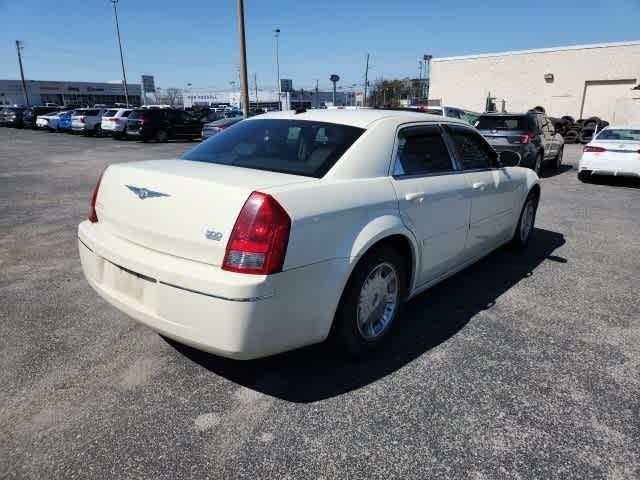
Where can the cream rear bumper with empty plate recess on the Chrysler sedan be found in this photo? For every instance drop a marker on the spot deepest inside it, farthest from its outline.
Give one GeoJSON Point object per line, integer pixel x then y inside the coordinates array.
{"type": "Point", "coordinates": [232, 315]}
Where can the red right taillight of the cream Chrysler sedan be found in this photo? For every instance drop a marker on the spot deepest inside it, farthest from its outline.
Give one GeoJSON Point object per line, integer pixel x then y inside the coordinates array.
{"type": "Point", "coordinates": [259, 238]}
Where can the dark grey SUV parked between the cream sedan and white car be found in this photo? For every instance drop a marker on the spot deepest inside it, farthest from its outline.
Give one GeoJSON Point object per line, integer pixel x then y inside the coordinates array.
{"type": "Point", "coordinates": [530, 134]}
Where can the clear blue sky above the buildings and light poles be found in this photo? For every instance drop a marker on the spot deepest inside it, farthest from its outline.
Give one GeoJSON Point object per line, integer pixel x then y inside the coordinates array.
{"type": "Point", "coordinates": [196, 41]}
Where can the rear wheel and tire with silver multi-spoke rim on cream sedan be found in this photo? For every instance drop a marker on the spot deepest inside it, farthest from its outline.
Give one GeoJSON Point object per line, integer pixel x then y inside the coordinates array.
{"type": "Point", "coordinates": [356, 333]}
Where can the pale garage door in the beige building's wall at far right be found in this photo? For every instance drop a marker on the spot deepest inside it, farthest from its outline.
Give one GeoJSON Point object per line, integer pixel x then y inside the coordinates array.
{"type": "Point", "coordinates": [601, 96]}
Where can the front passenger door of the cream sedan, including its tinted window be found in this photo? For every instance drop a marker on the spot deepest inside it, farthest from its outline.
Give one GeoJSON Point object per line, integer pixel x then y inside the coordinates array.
{"type": "Point", "coordinates": [493, 191]}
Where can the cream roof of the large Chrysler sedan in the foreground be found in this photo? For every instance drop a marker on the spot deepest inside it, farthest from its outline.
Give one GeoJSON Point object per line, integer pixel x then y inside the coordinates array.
{"type": "Point", "coordinates": [362, 117]}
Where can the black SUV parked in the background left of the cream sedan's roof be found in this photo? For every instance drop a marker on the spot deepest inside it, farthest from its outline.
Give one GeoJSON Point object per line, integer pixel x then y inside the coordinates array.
{"type": "Point", "coordinates": [162, 124]}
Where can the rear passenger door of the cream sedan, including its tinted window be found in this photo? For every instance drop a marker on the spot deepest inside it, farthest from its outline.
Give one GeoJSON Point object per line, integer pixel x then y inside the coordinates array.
{"type": "Point", "coordinates": [434, 199]}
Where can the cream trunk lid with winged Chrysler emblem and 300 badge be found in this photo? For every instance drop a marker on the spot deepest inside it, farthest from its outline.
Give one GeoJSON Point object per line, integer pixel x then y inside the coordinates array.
{"type": "Point", "coordinates": [180, 207]}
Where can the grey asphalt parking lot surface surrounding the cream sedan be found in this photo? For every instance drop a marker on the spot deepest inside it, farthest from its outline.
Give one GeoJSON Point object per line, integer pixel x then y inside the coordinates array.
{"type": "Point", "coordinates": [526, 365]}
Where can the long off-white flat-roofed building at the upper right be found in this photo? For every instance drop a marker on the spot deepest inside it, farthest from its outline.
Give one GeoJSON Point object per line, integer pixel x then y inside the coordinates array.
{"type": "Point", "coordinates": [582, 81]}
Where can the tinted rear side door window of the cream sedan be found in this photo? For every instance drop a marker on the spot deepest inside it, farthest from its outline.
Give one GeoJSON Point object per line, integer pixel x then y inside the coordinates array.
{"type": "Point", "coordinates": [421, 150]}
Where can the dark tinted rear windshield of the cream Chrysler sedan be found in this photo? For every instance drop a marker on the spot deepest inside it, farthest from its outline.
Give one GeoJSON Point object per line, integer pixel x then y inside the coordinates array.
{"type": "Point", "coordinates": [297, 147]}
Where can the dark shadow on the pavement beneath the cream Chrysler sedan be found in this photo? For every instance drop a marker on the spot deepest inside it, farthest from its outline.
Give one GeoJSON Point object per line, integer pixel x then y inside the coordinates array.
{"type": "Point", "coordinates": [315, 373]}
